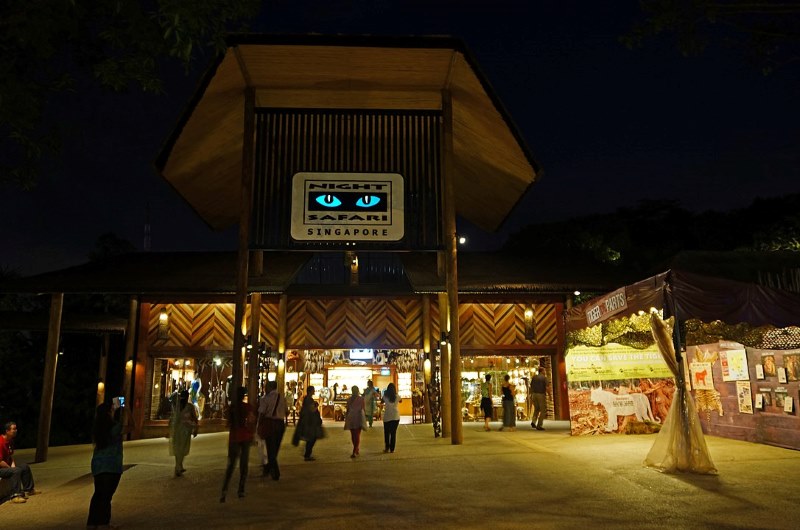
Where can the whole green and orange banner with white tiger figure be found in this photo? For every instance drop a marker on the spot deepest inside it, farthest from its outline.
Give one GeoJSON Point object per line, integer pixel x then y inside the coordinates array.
{"type": "Point", "coordinates": [614, 388]}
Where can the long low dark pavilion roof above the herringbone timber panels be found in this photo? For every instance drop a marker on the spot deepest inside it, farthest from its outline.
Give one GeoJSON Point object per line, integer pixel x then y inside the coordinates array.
{"type": "Point", "coordinates": [182, 275]}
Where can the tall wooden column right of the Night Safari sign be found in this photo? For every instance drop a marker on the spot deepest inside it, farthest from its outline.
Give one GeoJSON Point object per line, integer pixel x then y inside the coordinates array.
{"type": "Point", "coordinates": [451, 253]}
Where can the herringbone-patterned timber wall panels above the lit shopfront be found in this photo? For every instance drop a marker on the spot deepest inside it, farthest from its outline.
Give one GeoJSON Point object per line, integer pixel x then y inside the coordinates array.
{"type": "Point", "coordinates": [351, 323]}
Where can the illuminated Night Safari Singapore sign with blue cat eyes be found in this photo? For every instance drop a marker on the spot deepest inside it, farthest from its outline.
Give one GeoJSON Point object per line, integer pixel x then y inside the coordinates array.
{"type": "Point", "coordinates": [347, 207]}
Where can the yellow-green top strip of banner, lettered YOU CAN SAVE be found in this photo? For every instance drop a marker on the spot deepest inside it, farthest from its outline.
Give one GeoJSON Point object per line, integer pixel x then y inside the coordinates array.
{"type": "Point", "coordinates": [613, 362]}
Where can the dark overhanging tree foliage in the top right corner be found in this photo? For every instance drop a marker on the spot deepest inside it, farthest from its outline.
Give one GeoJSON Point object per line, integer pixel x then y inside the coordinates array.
{"type": "Point", "coordinates": [764, 32]}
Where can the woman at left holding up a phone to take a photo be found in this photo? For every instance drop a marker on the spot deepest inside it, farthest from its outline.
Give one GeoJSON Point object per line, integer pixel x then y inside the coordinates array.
{"type": "Point", "coordinates": [107, 433]}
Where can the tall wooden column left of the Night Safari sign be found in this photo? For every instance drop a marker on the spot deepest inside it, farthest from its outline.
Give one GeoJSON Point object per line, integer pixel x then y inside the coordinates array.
{"type": "Point", "coordinates": [245, 206]}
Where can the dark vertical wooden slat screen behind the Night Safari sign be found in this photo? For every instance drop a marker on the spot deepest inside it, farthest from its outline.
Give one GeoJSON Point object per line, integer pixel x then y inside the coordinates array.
{"type": "Point", "coordinates": [289, 141]}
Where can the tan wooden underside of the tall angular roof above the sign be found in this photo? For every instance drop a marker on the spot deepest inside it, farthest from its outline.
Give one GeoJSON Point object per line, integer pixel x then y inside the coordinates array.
{"type": "Point", "coordinates": [203, 158]}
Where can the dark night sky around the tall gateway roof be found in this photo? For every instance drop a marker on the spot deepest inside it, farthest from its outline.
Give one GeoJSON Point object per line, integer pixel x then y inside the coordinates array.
{"type": "Point", "coordinates": [608, 125]}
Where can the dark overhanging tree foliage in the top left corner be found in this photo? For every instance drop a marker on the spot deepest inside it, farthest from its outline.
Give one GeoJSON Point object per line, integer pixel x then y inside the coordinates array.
{"type": "Point", "coordinates": [119, 45]}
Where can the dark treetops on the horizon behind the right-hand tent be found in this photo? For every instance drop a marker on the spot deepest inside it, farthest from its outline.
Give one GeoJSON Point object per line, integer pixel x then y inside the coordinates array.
{"type": "Point", "coordinates": [643, 239]}
